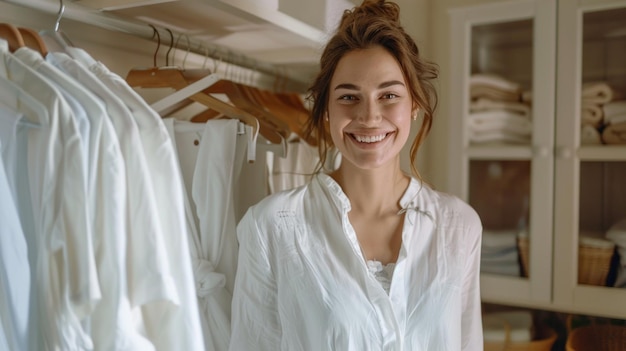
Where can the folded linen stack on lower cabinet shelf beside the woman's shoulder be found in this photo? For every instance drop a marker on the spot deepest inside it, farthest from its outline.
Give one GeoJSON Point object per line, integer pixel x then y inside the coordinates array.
{"type": "Point", "coordinates": [499, 253]}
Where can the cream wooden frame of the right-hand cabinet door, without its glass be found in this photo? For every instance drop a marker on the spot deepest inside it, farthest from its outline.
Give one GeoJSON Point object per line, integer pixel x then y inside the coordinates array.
{"type": "Point", "coordinates": [568, 294]}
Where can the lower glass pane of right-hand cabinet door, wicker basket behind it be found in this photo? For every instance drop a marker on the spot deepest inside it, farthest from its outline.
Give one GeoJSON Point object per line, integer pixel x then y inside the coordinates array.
{"type": "Point", "coordinates": [602, 233]}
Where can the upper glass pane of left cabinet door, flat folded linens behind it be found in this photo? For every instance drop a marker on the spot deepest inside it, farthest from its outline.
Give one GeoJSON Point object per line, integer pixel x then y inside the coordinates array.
{"type": "Point", "coordinates": [500, 83]}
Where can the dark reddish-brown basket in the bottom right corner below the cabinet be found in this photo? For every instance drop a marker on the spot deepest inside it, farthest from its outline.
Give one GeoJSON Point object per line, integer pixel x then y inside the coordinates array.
{"type": "Point", "coordinates": [597, 338]}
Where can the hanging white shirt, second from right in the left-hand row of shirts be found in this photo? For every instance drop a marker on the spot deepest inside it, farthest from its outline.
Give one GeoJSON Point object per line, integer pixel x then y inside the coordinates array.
{"type": "Point", "coordinates": [151, 281]}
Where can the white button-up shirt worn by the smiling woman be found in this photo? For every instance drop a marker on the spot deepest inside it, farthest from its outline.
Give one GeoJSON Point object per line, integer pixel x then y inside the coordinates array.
{"type": "Point", "coordinates": [303, 284]}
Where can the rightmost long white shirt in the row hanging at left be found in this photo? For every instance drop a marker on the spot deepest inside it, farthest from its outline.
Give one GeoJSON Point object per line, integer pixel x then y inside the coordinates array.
{"type": "Point", "coordinates": [180, 329]}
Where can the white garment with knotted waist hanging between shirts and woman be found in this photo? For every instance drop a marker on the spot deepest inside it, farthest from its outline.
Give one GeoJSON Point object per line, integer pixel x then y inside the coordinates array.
{"type": "Point", "coordinates": [211, 156]}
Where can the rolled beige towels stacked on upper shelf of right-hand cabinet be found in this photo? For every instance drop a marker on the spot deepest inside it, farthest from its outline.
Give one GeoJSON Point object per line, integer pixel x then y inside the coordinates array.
{"type": "Point", "coordinates": [598, 99]}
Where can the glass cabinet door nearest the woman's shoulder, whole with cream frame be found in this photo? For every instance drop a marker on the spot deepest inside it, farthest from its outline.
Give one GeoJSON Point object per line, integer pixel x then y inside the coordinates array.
{"type": "Point", "coordinates": [503, 88]}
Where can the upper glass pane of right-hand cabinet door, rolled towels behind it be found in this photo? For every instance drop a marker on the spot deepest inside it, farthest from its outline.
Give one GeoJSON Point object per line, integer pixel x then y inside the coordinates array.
{"type": "Point", "coordinates": [603, 95]}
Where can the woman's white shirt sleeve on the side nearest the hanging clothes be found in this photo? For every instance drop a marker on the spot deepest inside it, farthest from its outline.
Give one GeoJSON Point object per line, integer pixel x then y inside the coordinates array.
{"type": "Point", "coordinates": [255, 321]}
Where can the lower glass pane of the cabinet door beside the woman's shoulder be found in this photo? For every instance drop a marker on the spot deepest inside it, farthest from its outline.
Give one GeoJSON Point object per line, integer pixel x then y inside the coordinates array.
{"type": "Point", "coordinates": [500, 192]}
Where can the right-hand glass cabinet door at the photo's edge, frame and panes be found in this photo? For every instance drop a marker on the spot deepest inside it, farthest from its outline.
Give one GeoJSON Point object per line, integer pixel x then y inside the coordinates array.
{"type": "Point", "coordinates": [590, 205]}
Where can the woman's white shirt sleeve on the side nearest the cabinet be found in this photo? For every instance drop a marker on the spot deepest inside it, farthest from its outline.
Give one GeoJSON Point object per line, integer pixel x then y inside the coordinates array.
{"type": "Point", "coordinates": [471, 323]}
